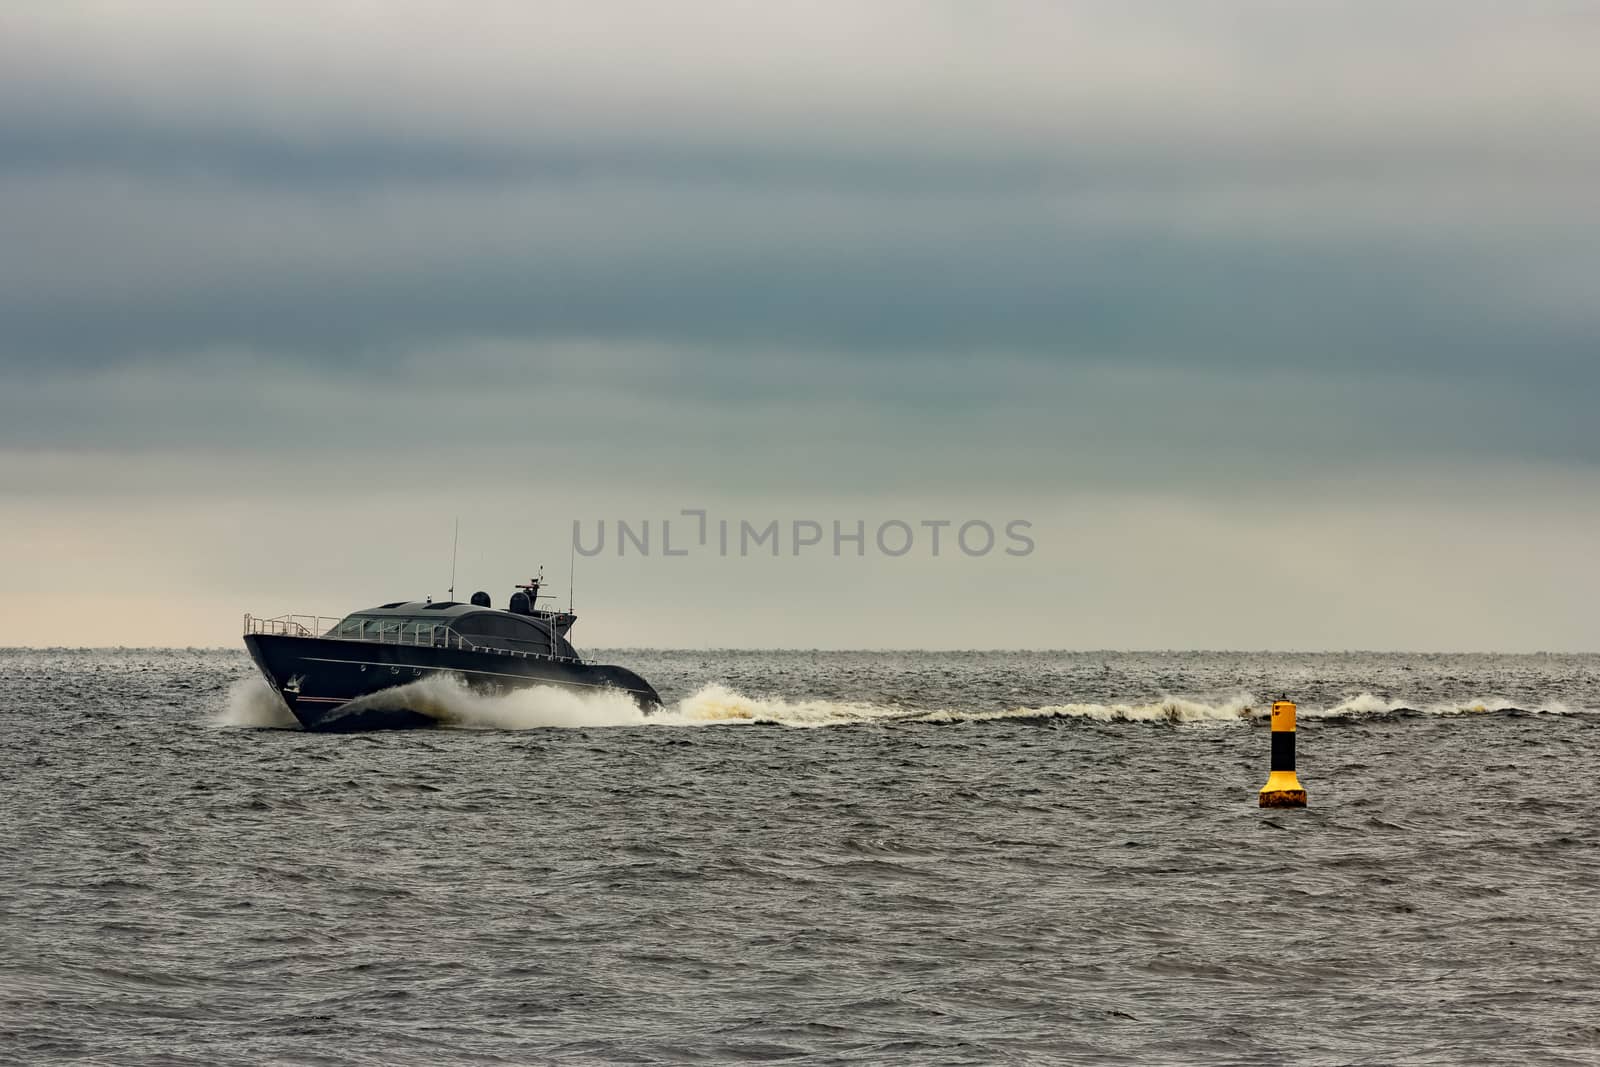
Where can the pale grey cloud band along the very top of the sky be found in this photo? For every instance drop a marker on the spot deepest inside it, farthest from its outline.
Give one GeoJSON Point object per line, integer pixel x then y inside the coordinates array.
{"type": "Point", "coordinates": [830, 74]}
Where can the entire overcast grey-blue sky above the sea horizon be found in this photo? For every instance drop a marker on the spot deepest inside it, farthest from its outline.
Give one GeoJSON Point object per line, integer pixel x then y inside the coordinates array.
{"type": "Point", "coordinates": [1278, 322]}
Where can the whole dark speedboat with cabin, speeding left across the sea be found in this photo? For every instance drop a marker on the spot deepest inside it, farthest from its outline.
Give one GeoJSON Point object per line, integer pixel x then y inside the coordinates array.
{"type": "Point", "coordinates": [334, 679]}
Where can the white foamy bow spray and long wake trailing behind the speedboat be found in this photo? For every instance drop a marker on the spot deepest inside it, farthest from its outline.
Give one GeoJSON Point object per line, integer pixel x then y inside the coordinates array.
{"type": "Point", "coordinates": [252, 703]}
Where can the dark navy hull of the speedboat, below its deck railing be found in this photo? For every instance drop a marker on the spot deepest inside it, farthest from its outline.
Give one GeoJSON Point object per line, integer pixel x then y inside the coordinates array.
{"type": "Point", "coordinates": [322, 681]}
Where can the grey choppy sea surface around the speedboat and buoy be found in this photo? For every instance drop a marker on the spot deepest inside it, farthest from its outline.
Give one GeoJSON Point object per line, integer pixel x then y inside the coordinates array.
{"type": "Point", "coordinates": [855, 858]}
